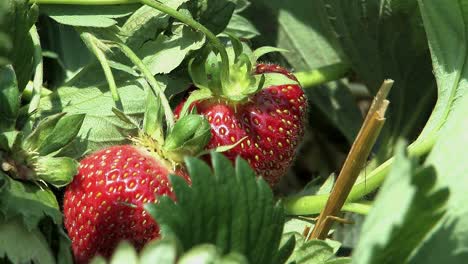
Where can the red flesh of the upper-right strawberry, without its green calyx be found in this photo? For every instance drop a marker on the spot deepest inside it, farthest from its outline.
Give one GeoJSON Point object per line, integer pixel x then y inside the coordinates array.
{"type": "Point", "coordinates": [270, 124]}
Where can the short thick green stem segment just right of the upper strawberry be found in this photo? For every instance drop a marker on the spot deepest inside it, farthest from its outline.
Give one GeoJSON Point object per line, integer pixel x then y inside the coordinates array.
{"type": "Point", "coordinates": [322, 75]}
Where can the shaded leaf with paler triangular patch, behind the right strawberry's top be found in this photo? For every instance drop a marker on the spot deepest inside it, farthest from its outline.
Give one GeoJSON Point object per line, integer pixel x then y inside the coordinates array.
{"type": "Point", "coordinates": [301, 27]}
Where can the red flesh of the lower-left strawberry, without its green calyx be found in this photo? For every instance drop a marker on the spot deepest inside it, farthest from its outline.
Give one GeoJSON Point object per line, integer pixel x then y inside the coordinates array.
{"type": "Point", "coordinates": [104, 203]}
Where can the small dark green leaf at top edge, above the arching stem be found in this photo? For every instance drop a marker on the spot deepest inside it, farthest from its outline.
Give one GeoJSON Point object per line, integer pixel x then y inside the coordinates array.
{"type": "Point", "coordinates": [213, 14]}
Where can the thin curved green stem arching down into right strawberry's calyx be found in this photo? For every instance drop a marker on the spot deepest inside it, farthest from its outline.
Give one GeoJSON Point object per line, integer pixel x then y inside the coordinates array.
{"type": "Point", "coordinates": [215, 42]}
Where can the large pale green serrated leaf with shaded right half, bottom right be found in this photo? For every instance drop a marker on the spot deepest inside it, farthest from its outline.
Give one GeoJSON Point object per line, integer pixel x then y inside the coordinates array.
{"type": "Point", "coordinates": [409, 195]}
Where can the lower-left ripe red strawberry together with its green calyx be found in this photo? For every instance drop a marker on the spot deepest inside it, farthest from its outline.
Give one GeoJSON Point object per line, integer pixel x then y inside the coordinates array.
{"type": "Point", "coordinates": [104, 203]}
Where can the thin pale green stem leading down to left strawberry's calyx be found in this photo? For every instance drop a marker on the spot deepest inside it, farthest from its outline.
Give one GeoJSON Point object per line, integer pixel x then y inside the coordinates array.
{"type": "Point", "coordinates": [152, 81]}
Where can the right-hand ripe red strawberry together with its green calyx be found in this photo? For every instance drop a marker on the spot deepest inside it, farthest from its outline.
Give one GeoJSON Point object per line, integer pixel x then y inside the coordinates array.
{"type": "Point", "coordinates": [265, 117]}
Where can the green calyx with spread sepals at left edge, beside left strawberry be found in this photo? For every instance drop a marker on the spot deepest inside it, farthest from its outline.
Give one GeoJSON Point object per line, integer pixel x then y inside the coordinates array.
{"type": "Point", "coordinates": [34, 157]}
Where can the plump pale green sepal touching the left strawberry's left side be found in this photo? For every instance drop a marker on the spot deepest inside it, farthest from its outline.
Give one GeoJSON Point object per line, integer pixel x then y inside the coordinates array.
{"type": "Point", "coordinates": [57, 171]}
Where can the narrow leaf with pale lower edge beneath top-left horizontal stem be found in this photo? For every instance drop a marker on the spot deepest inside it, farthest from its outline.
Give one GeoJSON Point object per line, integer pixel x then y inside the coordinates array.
{"type": "Point", "coordinates": [87, 16]}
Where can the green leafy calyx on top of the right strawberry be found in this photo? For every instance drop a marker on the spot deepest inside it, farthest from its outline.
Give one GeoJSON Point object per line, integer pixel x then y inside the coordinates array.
{"type": "Point", "coordinates": [241, 83]}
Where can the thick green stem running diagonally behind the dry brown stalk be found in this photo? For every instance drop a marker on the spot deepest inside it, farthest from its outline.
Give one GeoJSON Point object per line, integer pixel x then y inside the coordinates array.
{"type": "Point", "coordinates": [314, 204]}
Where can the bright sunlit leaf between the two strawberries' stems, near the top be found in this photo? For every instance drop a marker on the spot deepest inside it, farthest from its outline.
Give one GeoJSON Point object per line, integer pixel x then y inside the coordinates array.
{"type": "Point", "coordinates": [166, 53]}
